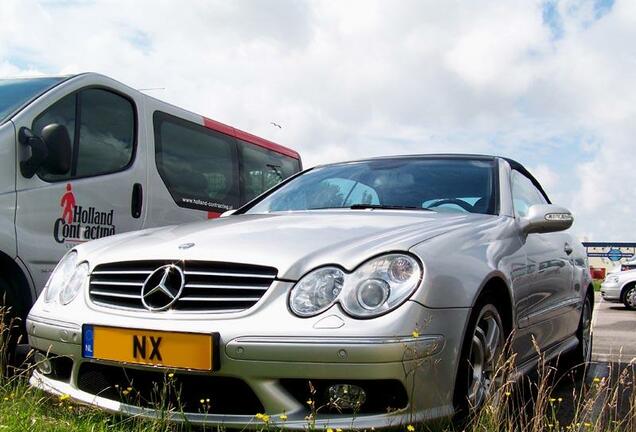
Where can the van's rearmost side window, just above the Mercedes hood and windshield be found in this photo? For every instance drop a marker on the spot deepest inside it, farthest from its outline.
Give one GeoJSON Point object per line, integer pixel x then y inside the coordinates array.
{"type": "Point", "coordinates": [263, 169]}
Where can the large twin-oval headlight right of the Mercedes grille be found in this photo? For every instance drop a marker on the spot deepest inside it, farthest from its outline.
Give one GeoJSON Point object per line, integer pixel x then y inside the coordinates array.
{"type": "Point", "coordinates": [376, 287]}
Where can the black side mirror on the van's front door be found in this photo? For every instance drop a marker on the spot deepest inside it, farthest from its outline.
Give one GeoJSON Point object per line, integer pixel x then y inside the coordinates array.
{"type": "Point", "coordinates": [52, 150]}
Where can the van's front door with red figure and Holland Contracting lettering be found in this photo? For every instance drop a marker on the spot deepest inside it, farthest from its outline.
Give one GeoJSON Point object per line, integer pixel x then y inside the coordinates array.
{"type": "Point", "coordinates": [102, 194]}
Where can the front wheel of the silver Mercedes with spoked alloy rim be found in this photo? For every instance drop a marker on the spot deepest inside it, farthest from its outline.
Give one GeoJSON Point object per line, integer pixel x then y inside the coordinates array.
{"type": "Point", "coordinates": [482, 348]}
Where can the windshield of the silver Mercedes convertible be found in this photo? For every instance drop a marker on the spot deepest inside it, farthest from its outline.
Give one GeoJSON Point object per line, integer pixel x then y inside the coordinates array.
{"type": "Point", "coordinates": [453, 185]}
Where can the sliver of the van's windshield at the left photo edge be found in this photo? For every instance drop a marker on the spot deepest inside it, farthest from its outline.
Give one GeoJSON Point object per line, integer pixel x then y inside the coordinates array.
{"type": "Point", "coordinates": [16, 92]}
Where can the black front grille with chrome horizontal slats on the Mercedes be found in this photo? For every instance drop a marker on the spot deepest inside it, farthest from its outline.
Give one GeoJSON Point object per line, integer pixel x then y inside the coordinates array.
{"type": "Point", "coordinates": [209, 286]}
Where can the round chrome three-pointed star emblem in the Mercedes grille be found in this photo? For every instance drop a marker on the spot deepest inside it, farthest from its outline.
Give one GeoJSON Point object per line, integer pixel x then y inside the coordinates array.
{"type": "Point", "coordinates": [162, 288]}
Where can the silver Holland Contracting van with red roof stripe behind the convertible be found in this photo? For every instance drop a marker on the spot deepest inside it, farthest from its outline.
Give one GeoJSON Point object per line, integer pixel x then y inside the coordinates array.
{"type": "Point", "coordinates": [84, 156]}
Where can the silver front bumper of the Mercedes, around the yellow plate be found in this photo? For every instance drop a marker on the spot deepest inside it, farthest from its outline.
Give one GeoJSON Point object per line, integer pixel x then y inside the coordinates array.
{"type": "Point", "coordinates": [311, 349]}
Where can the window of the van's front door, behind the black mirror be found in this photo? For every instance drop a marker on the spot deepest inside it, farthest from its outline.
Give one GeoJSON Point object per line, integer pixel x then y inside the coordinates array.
{"type": "Point", "coordinates": [106, 139]}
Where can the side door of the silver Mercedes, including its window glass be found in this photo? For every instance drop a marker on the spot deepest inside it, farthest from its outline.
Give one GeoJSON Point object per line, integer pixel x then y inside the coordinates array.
{"type": "Point", "coordinates": [545, 295]}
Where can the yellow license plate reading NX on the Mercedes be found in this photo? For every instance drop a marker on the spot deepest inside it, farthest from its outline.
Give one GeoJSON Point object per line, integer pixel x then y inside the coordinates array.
{"type": "Point", "coordinates": [149, 347]}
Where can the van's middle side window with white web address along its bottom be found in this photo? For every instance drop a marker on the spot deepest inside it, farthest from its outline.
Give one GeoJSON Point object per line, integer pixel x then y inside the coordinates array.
{"type": "Point", "coordinates": [199, 166]}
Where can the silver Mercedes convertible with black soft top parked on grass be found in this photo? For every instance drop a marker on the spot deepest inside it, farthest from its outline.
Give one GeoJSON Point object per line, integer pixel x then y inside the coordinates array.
{"type": "Point", "coordinates": [368, 294]}
